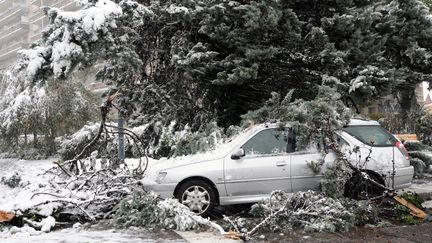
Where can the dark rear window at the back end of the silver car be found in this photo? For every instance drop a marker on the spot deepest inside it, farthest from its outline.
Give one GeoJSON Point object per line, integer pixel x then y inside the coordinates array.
{"type": "Point", "coordinates": [371, 135]}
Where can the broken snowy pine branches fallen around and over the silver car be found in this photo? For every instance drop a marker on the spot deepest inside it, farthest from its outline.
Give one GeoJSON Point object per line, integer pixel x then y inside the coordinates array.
{"type": "Point", "coordinates": [77, 192]}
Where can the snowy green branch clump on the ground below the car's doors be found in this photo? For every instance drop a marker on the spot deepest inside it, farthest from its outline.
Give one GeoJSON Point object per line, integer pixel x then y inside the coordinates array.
{"type": "Point", "coordinates": [312, 211]}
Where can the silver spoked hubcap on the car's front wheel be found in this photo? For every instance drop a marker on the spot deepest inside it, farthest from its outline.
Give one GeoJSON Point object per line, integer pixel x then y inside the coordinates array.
{"type": "Point", "coordinates": [197, 199]}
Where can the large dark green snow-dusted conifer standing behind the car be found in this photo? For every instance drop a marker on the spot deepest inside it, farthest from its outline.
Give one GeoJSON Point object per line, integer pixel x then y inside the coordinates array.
{"type": "Point", "coordinates": [198, 61]}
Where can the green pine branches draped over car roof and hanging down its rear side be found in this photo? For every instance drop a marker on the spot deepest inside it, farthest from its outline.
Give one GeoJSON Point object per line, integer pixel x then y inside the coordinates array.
{"type": "Point", "coordinates": [315, 123]}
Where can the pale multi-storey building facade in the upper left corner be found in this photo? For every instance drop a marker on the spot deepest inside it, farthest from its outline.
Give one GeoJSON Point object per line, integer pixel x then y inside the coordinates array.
{"type": "Point", "coordinates": [21, 23]}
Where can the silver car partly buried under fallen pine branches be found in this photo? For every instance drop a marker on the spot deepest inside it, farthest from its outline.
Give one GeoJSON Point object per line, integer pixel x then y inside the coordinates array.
{"type": "Point", "coordinates": [264, 158]}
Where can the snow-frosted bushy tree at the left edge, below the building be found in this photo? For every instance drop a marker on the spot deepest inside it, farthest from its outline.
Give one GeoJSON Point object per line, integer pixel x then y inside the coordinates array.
{"type": "Point", "coordinates": [32, 118]}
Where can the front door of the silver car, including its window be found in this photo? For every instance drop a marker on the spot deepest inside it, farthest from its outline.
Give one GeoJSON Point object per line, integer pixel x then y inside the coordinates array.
{"type": "Point", "coordinates": [264, 167]}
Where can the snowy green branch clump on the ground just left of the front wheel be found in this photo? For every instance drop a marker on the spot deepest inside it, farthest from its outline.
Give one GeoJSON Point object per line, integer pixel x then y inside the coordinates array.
{"type": "Point", "coordinates": [146, 209]}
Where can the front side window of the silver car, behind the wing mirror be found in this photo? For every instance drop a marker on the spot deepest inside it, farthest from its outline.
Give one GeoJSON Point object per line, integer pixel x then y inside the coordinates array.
{"type": "Point", "coordinates": [269, 141]}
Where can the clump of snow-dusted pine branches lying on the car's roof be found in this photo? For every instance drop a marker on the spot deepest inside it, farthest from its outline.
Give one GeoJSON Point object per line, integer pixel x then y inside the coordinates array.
{"type": "Point", "coordinates": [314, 121]}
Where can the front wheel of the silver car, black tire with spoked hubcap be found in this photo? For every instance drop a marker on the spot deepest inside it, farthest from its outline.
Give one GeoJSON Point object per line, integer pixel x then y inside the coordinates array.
{"type": "Point", "coordinates": [198, 196]}
